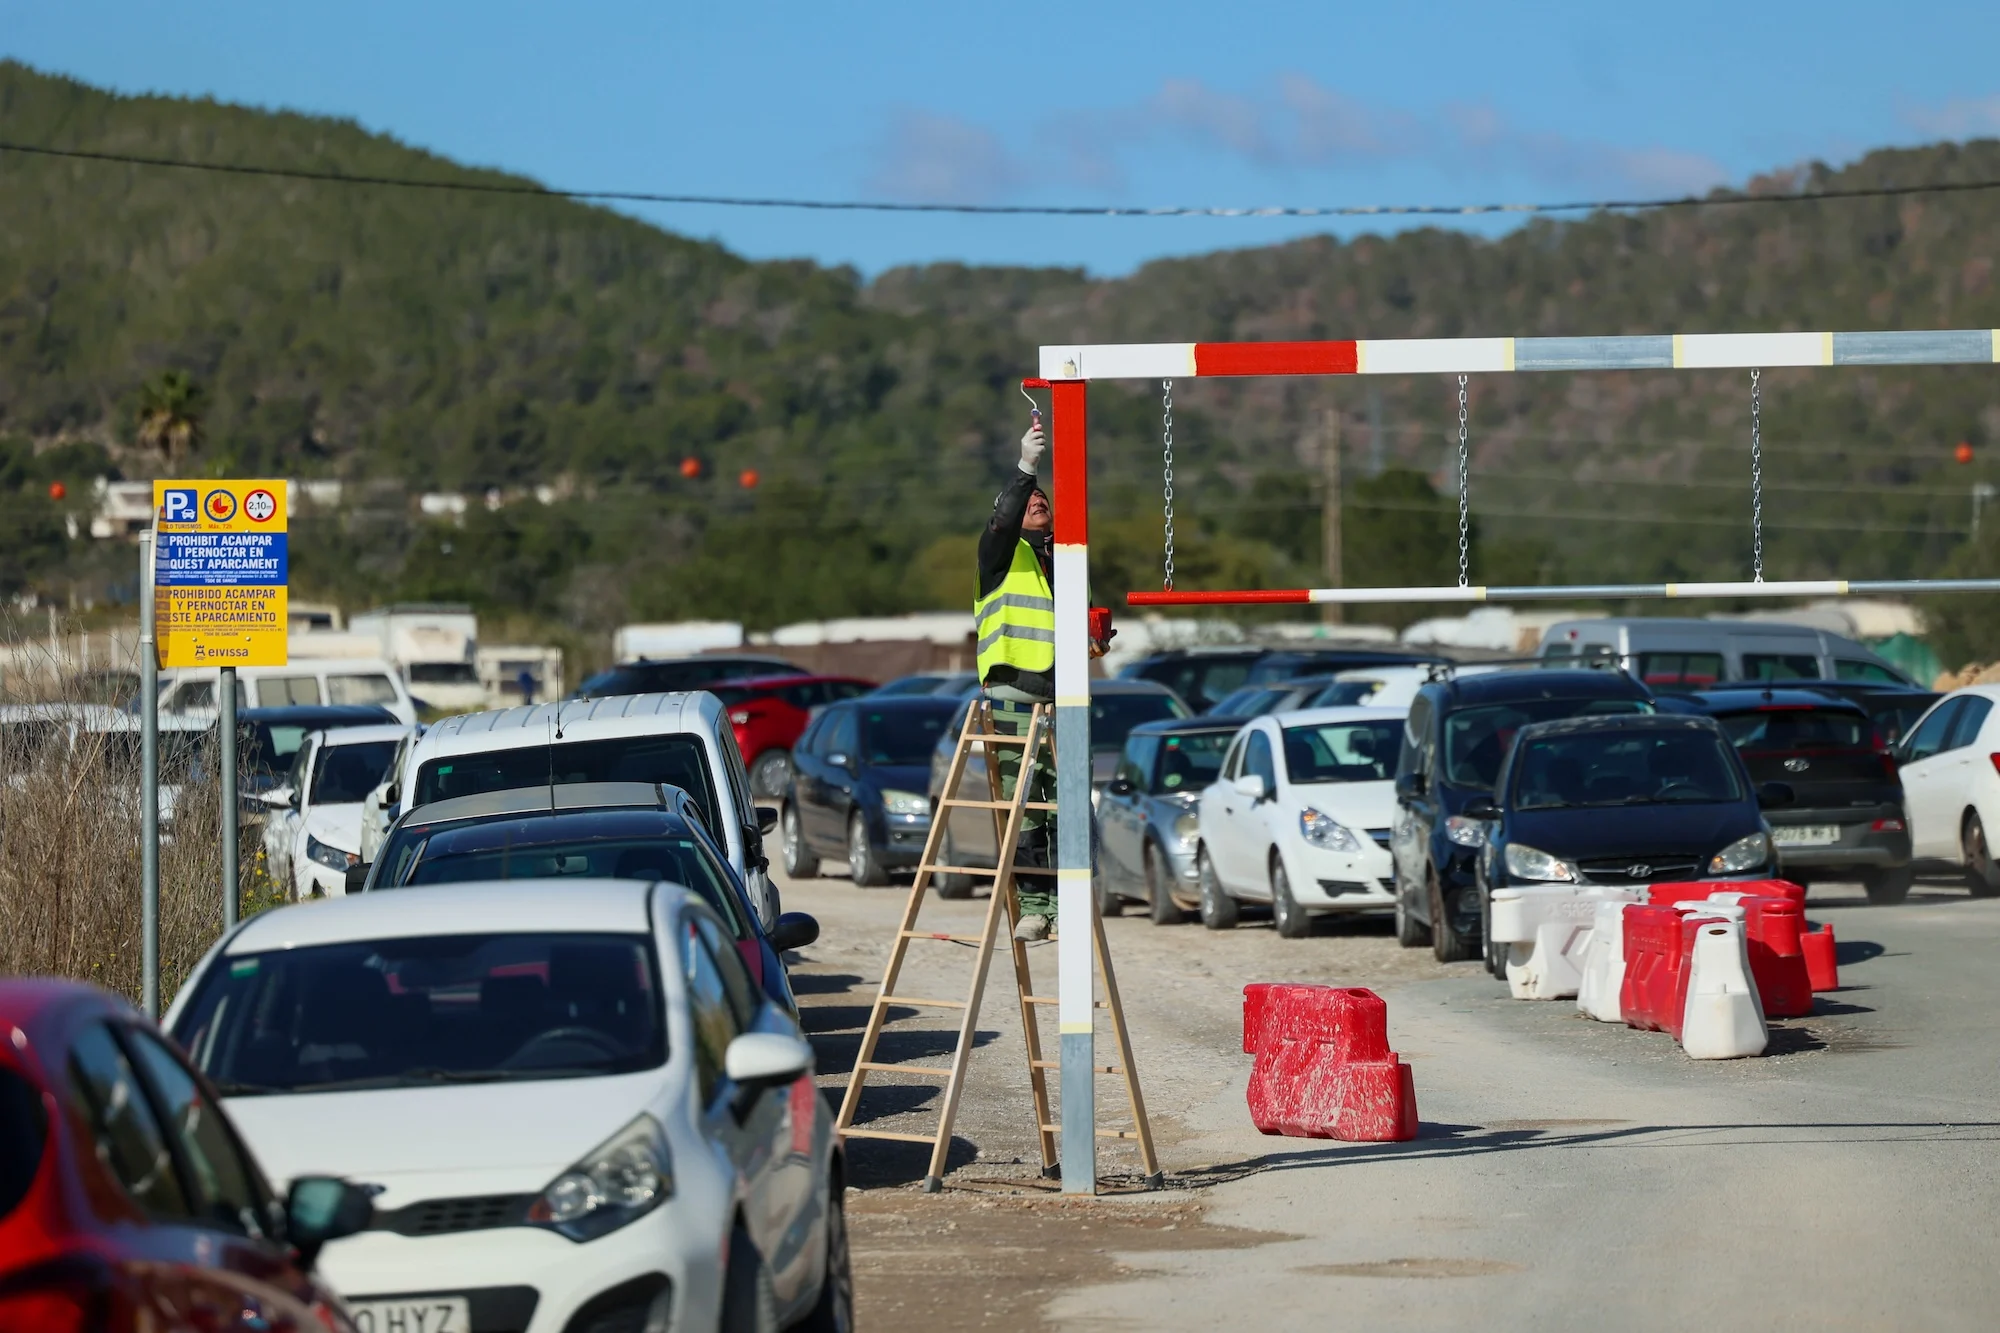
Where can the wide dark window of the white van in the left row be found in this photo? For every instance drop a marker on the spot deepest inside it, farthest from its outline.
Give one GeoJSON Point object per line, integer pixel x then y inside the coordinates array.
{"type": "Point", "coordinates": [675, 760]}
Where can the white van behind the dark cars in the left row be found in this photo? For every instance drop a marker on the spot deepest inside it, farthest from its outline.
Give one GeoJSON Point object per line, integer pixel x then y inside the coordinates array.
{"type": "Point", "coordinates": [679, 740]}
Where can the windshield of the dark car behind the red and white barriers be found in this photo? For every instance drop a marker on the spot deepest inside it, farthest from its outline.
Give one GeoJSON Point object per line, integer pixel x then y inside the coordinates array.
{"type": "Point", "coordinates": [1625, 768]}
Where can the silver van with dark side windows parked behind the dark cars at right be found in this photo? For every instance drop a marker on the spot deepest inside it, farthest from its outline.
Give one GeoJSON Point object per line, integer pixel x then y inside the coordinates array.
{"type": "Point", "coordinates": [1695, 655]}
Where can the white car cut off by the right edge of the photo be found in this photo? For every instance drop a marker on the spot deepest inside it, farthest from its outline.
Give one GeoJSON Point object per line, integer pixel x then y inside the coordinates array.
{"type": "Point", "coordinates": [1951, 786]}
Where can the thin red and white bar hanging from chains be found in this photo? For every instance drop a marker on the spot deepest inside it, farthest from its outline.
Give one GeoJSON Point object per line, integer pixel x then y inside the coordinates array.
{"type": "Point", "coordinates": [1583, 591]}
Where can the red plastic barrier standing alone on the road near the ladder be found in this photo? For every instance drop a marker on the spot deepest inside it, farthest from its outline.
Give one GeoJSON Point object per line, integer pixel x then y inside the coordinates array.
{"type": "Point", "coordinates": [1323, 1066]}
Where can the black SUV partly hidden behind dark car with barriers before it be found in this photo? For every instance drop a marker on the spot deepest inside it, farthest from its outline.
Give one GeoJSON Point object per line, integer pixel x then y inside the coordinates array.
{"type": "Point", "coordinates": [1453, 748]}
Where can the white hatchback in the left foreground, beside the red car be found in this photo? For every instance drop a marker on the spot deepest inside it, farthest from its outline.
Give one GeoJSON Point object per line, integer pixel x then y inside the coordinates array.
{"type": "Point", "coordinates": [571, 1100]}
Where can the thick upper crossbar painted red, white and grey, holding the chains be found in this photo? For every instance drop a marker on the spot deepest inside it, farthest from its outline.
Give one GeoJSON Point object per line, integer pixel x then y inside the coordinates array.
{"type": "Point", "coordinates": [1171, 361]}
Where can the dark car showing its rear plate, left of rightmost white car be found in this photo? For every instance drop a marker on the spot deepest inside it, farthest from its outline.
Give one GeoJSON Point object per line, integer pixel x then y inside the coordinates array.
{"type": "Point", "coordinates": [1847, 814]}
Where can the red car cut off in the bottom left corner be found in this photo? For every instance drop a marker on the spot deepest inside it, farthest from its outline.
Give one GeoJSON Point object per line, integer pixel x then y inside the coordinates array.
{"type": "Point", "coordinates": [127, 1200]}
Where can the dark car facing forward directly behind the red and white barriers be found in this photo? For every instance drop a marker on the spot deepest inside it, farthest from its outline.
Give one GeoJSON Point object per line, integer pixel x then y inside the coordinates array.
{"type": "Point", "coordinates": [1625, 802]}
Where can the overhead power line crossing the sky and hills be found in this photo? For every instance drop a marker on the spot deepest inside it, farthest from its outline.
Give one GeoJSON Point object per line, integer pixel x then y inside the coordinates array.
{"type": "Point", "coordinates": [1007, 211]}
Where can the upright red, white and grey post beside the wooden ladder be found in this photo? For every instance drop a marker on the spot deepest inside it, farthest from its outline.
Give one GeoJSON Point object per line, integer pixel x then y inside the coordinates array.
{"type": "Point", "coordinates": [1075, 904]}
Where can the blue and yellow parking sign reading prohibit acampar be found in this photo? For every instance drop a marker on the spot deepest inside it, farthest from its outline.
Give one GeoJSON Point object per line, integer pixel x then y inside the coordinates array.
{"type": "Point", "coordinates": [221, 571]}
